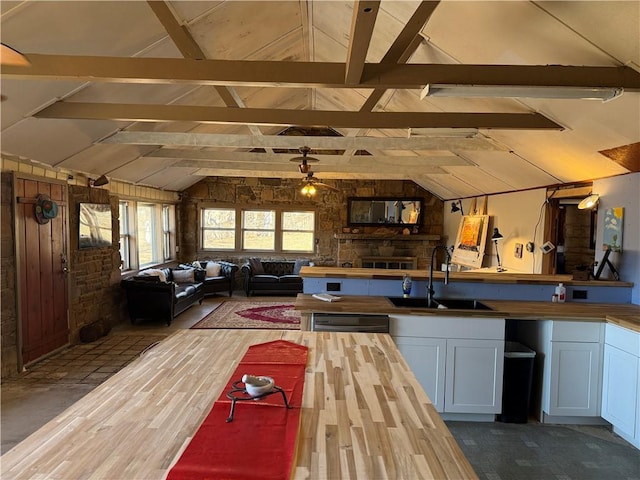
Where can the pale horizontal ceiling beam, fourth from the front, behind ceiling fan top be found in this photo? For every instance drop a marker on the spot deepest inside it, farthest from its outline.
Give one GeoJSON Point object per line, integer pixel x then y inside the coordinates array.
{"type": "Point", "coordinates": [284, 159]}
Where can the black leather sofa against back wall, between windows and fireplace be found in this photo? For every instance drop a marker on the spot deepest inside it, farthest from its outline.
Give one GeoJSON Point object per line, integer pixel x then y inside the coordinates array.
{"type": "Point", "coordinates": [272, 277]}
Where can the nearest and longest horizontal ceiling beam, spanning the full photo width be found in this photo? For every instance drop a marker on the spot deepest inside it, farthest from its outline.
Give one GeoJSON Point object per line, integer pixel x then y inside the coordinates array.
{"type": "Point", "coordinates": [312, 74]}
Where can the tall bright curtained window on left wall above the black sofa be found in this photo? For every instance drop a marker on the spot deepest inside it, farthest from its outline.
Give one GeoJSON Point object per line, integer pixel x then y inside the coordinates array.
{"type": "Point", "coordinates": [147, 234]}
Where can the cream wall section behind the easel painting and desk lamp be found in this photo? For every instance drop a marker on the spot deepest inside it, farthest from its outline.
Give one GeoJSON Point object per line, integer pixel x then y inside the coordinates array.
{"type": "Point", "coordinates": [516, 216]}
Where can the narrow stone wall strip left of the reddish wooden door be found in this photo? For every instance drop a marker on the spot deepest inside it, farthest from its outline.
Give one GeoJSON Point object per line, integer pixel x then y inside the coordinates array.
{"type": "Point", "coordinates": [8, 308]}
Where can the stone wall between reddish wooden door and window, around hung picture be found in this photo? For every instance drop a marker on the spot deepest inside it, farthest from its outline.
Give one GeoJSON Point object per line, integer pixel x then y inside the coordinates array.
{"type": "Point", "coordinates": [94, 280]}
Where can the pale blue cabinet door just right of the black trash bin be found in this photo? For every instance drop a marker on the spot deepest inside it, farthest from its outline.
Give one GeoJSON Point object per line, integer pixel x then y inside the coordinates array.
{"type": "Point", "coordinates": [575, 385]}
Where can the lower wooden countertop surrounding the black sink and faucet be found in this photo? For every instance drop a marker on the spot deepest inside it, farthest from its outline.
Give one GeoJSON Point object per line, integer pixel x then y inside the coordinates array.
{"type": "Point", "coordinates": [626, 315]}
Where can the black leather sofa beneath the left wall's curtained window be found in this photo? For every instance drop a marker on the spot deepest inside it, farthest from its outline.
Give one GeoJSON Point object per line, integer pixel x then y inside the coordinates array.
{"type": "Point", "coordinates": [150, 298]}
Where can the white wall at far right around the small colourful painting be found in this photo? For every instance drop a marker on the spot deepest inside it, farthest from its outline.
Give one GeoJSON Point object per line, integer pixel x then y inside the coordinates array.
{"type": "Point", "coordinates": [622, 191]}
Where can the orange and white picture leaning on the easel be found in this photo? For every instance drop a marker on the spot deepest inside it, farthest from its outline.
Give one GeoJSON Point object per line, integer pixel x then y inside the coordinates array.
{"type": "Point", "coordinates": [471, 240]}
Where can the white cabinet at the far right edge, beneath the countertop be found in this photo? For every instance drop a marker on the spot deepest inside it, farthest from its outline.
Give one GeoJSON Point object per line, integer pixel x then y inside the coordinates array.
{"type": "Point", "coordinates": [621, 382]}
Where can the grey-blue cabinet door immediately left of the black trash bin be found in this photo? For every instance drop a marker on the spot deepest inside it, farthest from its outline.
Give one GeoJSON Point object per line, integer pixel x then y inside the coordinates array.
{"type": "Point", "coordinates": [474, 376]}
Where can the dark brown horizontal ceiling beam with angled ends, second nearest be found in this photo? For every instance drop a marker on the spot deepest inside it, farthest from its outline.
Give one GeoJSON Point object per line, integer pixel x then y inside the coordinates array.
{"type": "Point", "coordinates": [309, 118]}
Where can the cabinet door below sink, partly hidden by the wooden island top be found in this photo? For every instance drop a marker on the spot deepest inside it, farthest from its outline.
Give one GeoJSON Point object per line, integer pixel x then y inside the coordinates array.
{"type": "Point", "coordinates": [426, 357]}
